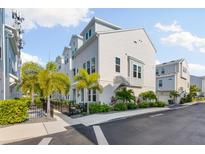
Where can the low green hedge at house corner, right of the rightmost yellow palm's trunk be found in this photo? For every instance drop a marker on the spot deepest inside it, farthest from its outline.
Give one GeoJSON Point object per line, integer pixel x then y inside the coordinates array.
{"type": "Point", "coordinates": [98, 108]}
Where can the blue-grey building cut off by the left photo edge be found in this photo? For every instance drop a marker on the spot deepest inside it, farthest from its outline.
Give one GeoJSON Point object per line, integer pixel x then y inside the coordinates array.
{"type": "Point", "coordinates": [9, 59]}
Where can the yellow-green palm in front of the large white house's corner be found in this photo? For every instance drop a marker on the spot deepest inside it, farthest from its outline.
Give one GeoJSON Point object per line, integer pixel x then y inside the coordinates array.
{"type": "Point", "coordinates": [87, 81]}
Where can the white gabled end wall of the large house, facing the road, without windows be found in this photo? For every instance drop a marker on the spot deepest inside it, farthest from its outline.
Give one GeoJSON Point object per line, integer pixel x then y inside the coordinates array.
{"type": "Point", "coordinates": [121, 44]}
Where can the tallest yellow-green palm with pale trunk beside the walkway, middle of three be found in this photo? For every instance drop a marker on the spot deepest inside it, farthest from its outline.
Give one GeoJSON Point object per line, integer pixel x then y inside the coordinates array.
{"type": "Point", "coordinates": [51, 81]}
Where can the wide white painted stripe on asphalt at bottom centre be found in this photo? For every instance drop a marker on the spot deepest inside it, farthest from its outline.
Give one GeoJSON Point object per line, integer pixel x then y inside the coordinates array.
{"type": "Point", "coordinates": [100, 136]}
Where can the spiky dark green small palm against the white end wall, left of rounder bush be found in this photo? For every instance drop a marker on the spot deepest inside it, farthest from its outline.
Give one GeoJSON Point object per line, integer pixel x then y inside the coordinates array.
{"type": "Point", "coordinates": [126, 95]}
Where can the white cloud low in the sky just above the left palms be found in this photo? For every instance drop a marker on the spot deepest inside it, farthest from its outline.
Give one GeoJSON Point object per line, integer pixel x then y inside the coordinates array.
{"type": "Point", "coordinates": [25, 57]}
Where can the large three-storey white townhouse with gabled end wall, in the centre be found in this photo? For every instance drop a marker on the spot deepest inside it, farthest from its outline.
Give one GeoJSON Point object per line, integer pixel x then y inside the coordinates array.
{"type": "Point", "coordinates": [122, 57]}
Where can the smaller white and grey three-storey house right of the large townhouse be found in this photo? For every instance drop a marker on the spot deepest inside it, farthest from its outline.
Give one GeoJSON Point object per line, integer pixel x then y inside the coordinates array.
{"type": "Point", "coordinates": [173, 75]}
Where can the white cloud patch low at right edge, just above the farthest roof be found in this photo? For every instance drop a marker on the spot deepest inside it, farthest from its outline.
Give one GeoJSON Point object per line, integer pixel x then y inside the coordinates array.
{"type": "Point", "coordinates": [197, 69]}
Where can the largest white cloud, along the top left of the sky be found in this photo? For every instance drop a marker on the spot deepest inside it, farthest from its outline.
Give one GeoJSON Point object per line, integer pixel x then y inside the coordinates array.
{"type": "Point", "coordinates": [47, 17]}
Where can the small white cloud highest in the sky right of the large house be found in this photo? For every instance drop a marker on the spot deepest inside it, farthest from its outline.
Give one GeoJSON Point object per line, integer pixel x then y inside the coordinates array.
{"type": "Point", "coordinates": [174, 27]}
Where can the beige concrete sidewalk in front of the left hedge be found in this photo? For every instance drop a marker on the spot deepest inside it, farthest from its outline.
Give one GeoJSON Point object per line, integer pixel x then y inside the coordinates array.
{"type": "Point", "coordinates": [26, 131]}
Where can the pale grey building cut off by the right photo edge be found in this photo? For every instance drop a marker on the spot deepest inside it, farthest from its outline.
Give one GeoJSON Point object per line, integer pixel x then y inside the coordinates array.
{"type": "Point", "coordinates": [199, 81]}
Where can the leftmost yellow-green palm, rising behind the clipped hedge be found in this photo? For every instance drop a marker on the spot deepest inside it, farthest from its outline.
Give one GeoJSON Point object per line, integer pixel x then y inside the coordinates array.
{"type": "Point", "coordinates": [29, 78]}
